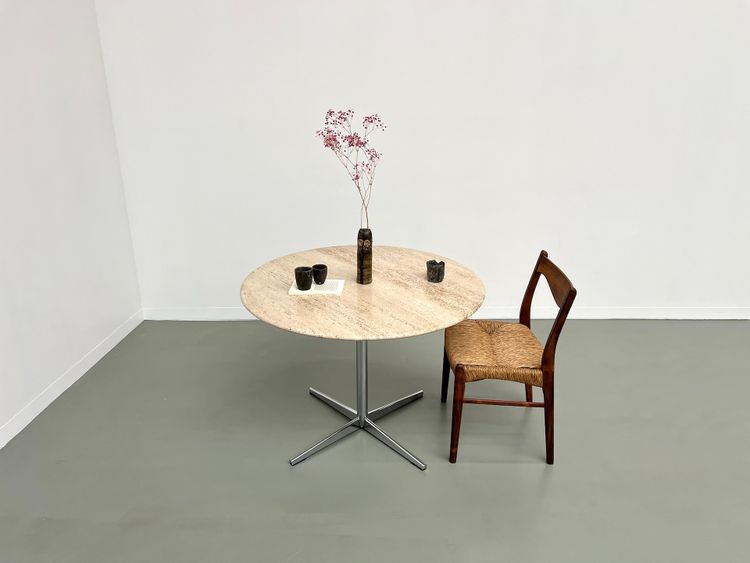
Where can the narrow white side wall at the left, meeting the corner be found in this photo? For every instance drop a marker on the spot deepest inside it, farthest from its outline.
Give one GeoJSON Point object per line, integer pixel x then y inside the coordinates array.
{"type": "Point", "coordinates": [68, 290]}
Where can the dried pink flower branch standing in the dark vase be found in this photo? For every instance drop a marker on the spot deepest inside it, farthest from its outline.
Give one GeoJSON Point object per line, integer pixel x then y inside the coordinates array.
{"type": "Point", "coordinates": [353, 151]}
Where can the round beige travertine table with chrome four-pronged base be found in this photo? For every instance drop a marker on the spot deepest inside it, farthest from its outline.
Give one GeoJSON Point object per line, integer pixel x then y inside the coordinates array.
{"type": "Point", "coordinates": [399, 302]}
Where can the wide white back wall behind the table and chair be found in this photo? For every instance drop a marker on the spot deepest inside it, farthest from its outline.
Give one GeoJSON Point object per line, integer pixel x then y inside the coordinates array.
{"type": "Point", "coordinates": [614, 134]}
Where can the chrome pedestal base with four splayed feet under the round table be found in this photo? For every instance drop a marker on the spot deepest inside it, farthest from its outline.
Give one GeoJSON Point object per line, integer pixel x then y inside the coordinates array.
{"type": "Point", "coordinates": [361, 418]}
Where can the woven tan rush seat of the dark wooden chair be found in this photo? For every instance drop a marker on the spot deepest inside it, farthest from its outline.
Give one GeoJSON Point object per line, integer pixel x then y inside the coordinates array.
{"type": "Point", "coordinates": [495, 350]}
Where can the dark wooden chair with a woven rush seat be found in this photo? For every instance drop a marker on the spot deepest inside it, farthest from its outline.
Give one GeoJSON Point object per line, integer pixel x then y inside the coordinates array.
{"type": "Point", "coordinates": [477, 350]}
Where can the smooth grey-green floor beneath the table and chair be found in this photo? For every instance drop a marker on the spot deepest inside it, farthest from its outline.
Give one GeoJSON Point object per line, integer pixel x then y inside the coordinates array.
{"type": "Point", "coordinates": [174, 447]}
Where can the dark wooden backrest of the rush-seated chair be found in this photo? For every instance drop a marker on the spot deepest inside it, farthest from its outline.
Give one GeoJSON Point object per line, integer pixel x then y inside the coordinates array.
{"type": "Point", "coordinates": [564, 294]}
